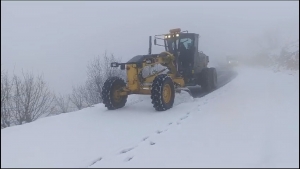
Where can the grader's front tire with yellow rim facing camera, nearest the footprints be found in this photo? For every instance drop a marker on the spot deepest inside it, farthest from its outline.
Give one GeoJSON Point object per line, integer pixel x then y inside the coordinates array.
{"type": "Point", "coordinates": [162, 92]}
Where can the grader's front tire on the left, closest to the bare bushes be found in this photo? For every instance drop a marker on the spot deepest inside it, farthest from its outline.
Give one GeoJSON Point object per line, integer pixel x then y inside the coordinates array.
{"type": "Point", "coordinates": [110, 86]}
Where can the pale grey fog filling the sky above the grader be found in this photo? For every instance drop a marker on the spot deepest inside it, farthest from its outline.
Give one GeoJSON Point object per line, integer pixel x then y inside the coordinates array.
{"type": "Point", "coordinates": [59, 39]}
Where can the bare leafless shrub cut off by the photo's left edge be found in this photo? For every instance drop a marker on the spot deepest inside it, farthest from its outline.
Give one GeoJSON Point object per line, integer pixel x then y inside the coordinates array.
{"type": "Point", "coordinates": [6, 86]}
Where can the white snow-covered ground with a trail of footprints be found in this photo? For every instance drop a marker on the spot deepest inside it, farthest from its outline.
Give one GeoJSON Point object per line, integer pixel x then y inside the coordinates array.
{"type": "Point", "coordinates": [253, 121]}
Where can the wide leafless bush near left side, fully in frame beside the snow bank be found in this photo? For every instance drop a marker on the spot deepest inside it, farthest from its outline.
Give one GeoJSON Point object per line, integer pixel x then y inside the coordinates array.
{"type": "Point", "coordinates": [31, 98]}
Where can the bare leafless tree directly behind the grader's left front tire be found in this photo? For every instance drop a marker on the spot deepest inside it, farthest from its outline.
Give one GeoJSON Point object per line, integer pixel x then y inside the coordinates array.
{"type": "Point", "coordinates": [98, 71]}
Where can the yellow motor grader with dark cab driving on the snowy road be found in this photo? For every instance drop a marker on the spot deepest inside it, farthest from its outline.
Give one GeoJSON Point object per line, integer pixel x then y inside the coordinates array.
{"type": "Point", "coordinates": [181, 65]}
